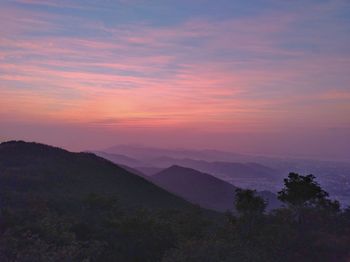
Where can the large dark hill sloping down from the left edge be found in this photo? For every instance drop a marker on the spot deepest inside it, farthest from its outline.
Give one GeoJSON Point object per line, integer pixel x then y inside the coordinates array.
{"type": "Point", "coordinates": [55, 174]}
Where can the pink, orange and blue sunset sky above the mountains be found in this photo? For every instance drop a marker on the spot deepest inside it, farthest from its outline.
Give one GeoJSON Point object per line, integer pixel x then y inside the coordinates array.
{"type": "Point", "coordinates": [261, 77]}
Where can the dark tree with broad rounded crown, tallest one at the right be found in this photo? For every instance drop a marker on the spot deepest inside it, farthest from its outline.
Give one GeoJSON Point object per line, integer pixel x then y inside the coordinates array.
{"type": "Point", "coordinates": [302, 193]}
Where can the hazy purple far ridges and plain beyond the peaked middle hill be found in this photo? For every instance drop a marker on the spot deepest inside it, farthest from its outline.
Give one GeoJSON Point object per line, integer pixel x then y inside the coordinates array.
{"type": "Point", "coordinates": [247, 171]}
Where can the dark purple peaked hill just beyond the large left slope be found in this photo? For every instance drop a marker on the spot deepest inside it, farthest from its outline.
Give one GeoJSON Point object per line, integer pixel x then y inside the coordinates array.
{"type": "Point", "coordinates": [201, 188]}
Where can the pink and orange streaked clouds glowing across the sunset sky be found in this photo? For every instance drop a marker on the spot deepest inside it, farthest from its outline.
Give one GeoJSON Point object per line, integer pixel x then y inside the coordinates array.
{"type": "Point", "coordinates": [126, 77]}
